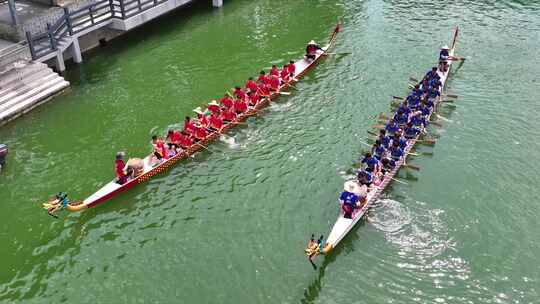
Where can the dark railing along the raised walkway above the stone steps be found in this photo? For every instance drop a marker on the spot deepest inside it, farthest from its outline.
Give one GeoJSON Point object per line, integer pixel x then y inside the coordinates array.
{"type": "Point", "coordinates": [76, 21]}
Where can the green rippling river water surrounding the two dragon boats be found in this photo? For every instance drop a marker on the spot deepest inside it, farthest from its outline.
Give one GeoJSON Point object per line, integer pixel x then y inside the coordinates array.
{"type": "Point", "coordinates": [230, 226]}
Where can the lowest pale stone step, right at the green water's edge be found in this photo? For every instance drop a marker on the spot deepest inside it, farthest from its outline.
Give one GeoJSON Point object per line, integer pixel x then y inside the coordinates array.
{"type": "Point", "coordinates": [32, 102]}
